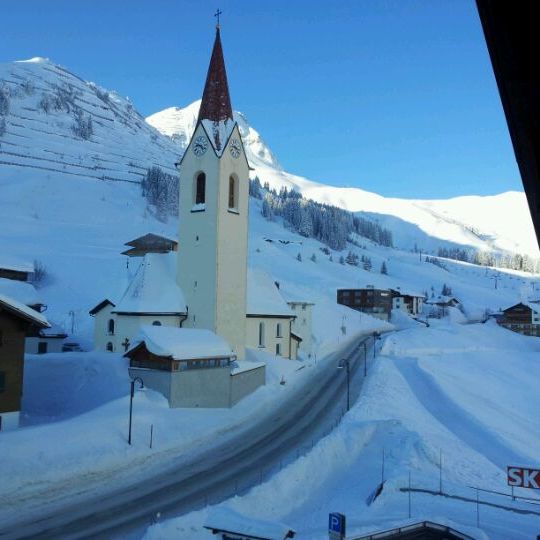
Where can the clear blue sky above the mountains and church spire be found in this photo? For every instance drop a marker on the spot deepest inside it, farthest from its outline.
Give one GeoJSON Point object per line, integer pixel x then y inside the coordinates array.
{"type": "Point", "coordinates": [392, 96]}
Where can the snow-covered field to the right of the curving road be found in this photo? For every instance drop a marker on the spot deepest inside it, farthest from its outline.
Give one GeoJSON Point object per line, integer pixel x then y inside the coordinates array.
{"type": "Point", "coordinates": [478, 428]}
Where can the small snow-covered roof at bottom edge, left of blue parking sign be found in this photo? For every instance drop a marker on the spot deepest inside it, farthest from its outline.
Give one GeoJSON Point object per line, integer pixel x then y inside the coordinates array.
{"type": "Point", "coordinates": [227, 520]}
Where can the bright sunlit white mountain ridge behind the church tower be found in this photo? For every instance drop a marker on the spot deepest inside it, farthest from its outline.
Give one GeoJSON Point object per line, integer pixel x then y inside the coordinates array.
{"type": "Point", "coordinates": [475, 221]}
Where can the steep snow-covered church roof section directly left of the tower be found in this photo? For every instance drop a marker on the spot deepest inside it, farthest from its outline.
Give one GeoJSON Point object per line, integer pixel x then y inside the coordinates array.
{"type": "Point", "coordinates": [153, 289]}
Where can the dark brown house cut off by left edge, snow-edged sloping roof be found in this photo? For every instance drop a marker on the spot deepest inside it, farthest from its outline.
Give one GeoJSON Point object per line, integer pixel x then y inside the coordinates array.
{"type": "Point", "coordinates": [16, 320]}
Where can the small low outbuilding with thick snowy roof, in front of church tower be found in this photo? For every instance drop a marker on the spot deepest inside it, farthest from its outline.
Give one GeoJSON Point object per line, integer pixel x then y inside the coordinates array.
{"type": "Point", "coordinates": [192, 367]}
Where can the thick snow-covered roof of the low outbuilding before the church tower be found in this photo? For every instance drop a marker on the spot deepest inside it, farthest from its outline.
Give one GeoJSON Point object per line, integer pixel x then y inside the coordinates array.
{"type": "Point", "coordinates": [182, 343]}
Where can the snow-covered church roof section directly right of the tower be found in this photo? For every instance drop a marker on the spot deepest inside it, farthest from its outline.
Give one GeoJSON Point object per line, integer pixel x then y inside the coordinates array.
{"type": "Point", "coordinates": [263, 297]}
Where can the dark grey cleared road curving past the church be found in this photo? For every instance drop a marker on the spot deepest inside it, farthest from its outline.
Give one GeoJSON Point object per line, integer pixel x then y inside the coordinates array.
{"type": "Point", "coordinates": [194, 479]}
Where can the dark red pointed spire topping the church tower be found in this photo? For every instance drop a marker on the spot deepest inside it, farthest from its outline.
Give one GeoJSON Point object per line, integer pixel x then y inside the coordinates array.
{"type": "Point", "coordinates": [216, 102]}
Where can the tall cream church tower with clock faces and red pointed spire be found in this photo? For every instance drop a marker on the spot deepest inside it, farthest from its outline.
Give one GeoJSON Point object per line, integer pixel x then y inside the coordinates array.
{"type": "Point", "coordinates": [214, 187]}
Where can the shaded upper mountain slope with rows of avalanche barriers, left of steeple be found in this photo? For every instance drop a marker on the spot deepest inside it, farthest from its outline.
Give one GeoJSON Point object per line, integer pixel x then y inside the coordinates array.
{"type": "Point", "coordinates": [54, 121]}
